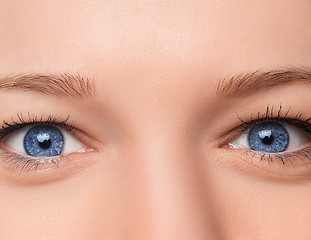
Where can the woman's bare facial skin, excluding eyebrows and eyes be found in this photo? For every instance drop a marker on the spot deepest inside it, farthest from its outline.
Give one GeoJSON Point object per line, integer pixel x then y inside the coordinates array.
{"type": "Point", "coordinates": [157, 163]}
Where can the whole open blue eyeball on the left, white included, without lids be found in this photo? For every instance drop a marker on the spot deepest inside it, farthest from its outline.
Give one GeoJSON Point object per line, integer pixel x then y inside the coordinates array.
{"type": "Point", "coordinates": [43, 141]}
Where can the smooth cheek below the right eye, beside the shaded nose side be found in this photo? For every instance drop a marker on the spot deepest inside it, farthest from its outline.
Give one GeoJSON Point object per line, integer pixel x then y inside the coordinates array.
{"type": "Point", "coordinates": [250, 208]}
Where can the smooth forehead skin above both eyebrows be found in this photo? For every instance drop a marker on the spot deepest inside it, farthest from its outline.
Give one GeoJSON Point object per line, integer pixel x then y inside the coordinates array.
{"type": "Point", "coordinates": [215, 37]}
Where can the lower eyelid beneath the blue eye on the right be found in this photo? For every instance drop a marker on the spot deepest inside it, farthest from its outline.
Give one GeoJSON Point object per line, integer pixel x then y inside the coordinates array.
{"type": "Point", "coordinates": [247, 162]}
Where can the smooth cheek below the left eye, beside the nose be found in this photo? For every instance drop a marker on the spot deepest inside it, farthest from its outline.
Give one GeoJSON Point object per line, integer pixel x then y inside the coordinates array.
{"type": "Point", "coordinates": [85, 206]}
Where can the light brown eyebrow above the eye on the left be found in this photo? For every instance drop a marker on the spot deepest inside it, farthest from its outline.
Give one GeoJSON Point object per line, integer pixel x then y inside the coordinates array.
{"type": "Point", "coordinates": [59, 85]}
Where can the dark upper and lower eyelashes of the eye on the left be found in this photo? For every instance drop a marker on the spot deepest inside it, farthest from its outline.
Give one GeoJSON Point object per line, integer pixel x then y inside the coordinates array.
{"type": "Point", "coordinates": [15, 161]}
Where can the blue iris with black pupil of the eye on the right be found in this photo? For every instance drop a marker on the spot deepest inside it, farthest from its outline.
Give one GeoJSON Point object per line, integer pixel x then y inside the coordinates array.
{"type": "Point", "coordinates": [268, 137]}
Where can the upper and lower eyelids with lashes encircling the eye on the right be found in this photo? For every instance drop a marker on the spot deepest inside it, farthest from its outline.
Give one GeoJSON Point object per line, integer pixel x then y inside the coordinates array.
{"type": "Point", "coordinates": [292, 163]}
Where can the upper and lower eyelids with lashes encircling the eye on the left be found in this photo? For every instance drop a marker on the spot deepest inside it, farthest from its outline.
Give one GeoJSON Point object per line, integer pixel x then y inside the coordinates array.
{"type": "Point", "coordinates": [14, 161]}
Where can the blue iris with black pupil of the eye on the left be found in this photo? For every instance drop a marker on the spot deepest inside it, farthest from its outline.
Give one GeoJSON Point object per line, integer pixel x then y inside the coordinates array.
{"type": "Point", "coordinates": [44, 141]}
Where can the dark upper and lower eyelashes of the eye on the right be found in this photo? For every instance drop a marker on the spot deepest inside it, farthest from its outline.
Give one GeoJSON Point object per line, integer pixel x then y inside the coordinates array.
{"type": "Point", "coordinates": [269, 115]}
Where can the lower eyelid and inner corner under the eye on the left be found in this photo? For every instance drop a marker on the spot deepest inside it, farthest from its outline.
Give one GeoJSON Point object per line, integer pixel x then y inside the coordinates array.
{"type": "Point", "coordinates": [13, 164]}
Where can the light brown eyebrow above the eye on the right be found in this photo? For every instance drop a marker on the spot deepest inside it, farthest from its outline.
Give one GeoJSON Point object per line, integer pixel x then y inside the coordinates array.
{"type": "Point", "coordinates": [249, 83]}
